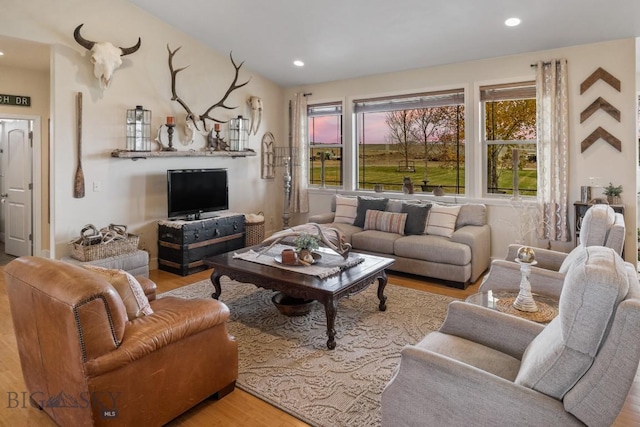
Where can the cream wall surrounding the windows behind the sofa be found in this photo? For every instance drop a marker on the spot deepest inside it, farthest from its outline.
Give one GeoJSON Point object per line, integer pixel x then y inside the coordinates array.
{"type": "Point", "coordinates": [601, 160]}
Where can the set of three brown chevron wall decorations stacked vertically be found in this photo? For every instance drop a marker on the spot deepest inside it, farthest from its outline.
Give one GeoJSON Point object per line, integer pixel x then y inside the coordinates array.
{"type": "Point", "coordinates": [600, 104]}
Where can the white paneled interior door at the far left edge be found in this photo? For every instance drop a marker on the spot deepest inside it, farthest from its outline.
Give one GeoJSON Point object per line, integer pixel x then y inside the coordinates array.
{"type": "Point", "coordinates": [17, 187]}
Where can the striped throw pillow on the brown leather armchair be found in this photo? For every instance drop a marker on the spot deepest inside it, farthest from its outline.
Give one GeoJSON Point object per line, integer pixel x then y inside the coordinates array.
{"type": "Point", "coordinates": [129, 289]}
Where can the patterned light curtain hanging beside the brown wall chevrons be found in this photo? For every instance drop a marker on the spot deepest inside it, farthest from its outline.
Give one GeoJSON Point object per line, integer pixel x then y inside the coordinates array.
{"type": "Point", "coordinates": [553, 151]}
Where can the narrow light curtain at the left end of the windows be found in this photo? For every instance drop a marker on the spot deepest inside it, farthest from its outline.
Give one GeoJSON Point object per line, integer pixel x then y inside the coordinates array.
{"type": "Point", "coordinates": [300, 147]}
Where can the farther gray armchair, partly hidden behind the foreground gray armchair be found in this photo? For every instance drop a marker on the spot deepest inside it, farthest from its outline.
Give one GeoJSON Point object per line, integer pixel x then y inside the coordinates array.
{"type": "Point", "coordinates": [601, 226]}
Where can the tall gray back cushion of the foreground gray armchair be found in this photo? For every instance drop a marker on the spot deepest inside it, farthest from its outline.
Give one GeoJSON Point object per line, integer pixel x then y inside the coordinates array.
{"type": "Point", "coordinates": [558, 357]}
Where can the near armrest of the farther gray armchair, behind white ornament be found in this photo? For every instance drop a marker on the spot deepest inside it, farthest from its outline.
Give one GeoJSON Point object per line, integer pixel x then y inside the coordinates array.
{"type": "Point", "coordinates": [506, 276]}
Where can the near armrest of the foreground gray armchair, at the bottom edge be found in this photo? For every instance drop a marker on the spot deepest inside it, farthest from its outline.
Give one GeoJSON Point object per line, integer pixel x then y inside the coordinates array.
{"type": "Point", "coordinates": [431, 389]}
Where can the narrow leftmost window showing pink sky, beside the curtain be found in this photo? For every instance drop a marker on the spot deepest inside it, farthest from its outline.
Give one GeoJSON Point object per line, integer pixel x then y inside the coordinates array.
{"type": "Point", "coordinates": [325, 144]}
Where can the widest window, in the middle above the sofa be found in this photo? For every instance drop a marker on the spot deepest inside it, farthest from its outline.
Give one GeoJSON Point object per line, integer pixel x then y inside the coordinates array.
{"type": "Point", "coordinates": [419, 136]}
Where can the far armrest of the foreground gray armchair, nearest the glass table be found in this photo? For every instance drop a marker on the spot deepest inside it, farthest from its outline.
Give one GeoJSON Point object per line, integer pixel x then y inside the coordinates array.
{"type": "Point", "coordinates": [503, 332]}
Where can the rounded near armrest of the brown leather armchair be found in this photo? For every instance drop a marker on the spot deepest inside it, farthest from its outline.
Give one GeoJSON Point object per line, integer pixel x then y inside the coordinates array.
{"type": "Point", "coordinates": [173, 319]}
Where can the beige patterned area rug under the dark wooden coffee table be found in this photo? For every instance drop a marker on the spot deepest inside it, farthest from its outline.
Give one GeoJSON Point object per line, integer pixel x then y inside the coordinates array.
{"type": "Point", "coordinates": [285, 361]}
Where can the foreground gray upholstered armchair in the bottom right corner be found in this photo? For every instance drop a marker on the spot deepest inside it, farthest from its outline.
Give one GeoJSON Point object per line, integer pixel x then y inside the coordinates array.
{"type": "Point", "coordinates": [484, 367]}
